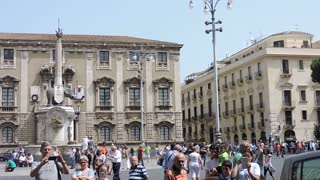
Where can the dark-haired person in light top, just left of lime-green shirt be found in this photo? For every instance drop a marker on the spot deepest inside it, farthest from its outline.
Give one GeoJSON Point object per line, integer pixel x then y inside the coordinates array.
{"type": "Point", "coordinates": [212, 163]}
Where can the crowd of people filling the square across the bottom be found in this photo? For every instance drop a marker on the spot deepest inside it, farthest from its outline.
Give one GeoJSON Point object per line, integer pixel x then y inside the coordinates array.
{"type": "Point", "coordinates": [93, 161]}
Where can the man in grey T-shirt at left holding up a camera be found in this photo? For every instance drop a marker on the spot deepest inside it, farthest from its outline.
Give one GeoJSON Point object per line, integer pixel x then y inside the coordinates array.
{"type": "Point", "coordinates": [47, 167]}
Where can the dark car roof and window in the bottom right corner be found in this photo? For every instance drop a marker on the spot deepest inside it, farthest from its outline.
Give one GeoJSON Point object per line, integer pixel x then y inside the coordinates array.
{"type": "Point", "coordinates": [302, 166]}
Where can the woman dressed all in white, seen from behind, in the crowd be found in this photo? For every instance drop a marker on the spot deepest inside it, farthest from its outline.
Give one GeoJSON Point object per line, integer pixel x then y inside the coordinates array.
{"type": "Point", "coordinates": [194, 164]}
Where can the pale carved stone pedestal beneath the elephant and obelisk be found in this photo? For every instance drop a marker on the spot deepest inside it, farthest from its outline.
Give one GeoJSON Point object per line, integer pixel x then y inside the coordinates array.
{"type": "Point", "coordinates": [55, 125]}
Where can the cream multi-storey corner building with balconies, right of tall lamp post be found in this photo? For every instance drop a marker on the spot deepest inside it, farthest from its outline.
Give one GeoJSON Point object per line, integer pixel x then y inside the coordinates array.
{"type": "Point", "coordinates": [265, 93]}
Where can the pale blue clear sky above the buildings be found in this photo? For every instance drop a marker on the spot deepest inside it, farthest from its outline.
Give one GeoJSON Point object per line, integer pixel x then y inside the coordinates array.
{"type": "Point", "coordinates": [166, 20]}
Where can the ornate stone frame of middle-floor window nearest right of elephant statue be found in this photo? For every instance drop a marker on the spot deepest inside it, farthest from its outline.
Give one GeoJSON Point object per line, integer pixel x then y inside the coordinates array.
{"type": "Point", "coordinates": [104, 82]}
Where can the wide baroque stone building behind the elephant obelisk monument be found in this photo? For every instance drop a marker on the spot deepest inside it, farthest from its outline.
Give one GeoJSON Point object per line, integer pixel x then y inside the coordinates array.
{"type": "Point", "coordinates": [106, 71]}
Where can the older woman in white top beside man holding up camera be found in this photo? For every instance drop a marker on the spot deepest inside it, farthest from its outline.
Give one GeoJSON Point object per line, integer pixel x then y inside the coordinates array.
{"type": "Point", "coordinates": [84, 172]}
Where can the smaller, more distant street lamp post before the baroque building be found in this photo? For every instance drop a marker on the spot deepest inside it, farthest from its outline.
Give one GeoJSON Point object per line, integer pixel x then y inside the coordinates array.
{"type": "Point", "coordinates": [140, 55]}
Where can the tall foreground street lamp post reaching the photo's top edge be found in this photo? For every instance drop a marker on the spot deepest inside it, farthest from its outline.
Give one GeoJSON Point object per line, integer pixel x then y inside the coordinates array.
{"type": "Point", "coordinates": [210, 6]}
